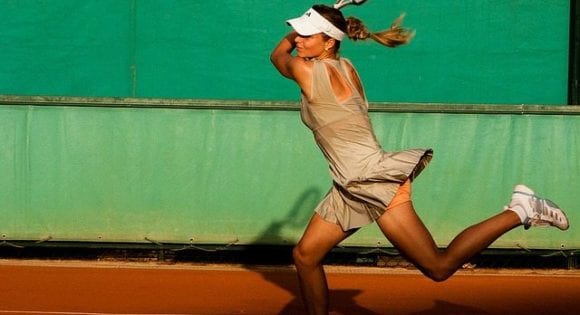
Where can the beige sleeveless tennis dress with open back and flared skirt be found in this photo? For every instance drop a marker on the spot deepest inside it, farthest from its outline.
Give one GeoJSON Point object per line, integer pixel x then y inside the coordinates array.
{"type": "Point", "coordinates": [365, 178]}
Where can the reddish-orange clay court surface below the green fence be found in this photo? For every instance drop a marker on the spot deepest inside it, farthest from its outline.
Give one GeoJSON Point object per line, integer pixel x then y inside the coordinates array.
{"type": "Point", "coordinates": [81, 287]}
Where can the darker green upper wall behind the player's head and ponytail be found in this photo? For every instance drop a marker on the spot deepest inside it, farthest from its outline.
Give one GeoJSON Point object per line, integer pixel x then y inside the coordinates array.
{"type": "Point", "coordinates": [483, 52]}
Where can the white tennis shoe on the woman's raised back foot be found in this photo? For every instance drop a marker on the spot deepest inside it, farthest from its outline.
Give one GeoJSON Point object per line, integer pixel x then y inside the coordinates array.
{"type": "Point", "coordinates": [538, 211]}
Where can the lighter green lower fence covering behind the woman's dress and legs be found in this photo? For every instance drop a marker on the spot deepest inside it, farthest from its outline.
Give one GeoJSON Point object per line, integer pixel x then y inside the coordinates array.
{"type": "Point", "coordinates": [216, 176]}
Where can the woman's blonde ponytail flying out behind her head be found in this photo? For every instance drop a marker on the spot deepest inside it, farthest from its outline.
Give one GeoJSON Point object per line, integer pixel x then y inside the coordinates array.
{"type": "Point", "coordinates": [395, 36]}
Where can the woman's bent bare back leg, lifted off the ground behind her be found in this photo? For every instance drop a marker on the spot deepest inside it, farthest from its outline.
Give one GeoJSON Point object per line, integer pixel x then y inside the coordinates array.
{"type": "Point", "coordinates": [405, 230]}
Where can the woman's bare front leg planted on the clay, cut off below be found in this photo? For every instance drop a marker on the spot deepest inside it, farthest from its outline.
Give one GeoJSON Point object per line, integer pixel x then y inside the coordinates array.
{"type": "Point", "coordinates": [318, 239]}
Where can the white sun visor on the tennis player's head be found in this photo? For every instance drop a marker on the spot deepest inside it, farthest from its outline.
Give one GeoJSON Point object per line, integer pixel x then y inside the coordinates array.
{"type": "Point", "coordinates": [312, 22]}
